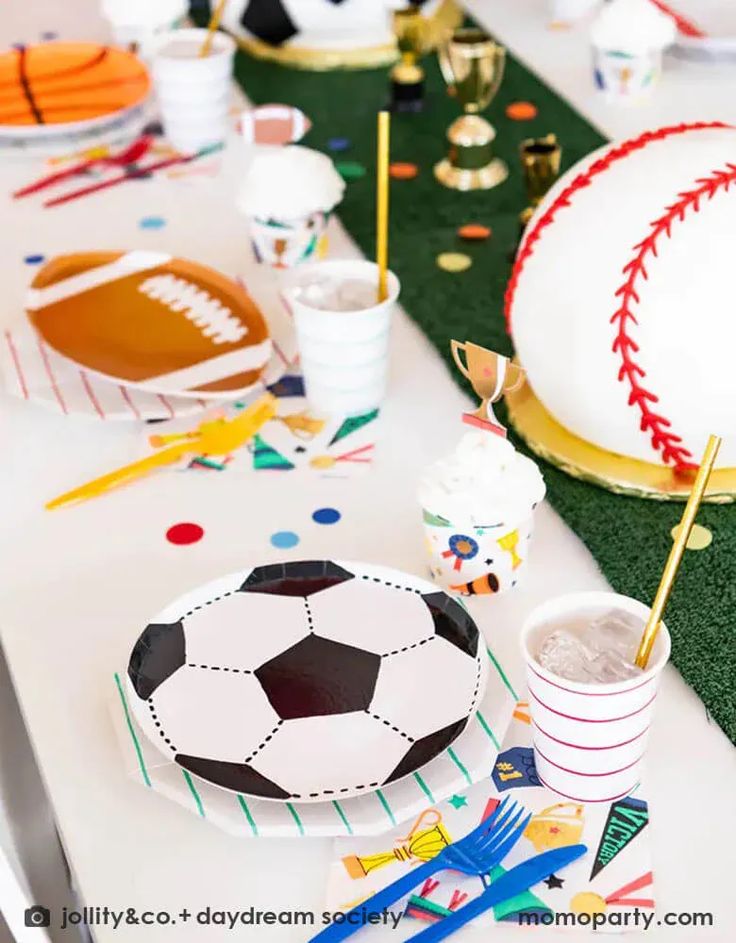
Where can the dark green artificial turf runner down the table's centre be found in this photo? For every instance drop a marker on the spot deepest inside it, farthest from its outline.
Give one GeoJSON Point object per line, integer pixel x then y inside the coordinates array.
{"type": "Point", "coordinates": [629, 538]}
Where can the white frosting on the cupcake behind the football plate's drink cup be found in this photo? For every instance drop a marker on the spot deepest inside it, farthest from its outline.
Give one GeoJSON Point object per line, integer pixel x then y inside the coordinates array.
{"type": "Point", "coordinates": [288, 183]}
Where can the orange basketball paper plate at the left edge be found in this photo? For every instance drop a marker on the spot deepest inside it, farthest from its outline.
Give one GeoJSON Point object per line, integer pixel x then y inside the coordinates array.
{"type": "Point", "coordinates": [57, 87]}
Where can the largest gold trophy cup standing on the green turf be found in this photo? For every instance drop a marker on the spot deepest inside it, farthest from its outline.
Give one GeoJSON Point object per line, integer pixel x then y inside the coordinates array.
{"type": "Point", "coordinates": [472, 65]}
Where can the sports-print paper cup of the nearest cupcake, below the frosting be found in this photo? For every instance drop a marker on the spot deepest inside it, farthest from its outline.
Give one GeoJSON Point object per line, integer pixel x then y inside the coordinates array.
{"type": "Point", "coordinates": [477, 559]}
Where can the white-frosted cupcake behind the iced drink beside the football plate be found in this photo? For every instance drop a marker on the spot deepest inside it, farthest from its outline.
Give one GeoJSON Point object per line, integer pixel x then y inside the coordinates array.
{"type": "Point", "coordinates": [288, 195]}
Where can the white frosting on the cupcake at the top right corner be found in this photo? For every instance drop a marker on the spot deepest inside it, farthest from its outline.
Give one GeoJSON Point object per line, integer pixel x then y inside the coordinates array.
{"type": "Point", "coordinates": [633, 26]}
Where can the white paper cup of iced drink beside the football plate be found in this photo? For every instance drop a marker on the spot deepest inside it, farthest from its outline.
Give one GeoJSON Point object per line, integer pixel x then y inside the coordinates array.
{"type": "Point", "coordinates": [343, 333]}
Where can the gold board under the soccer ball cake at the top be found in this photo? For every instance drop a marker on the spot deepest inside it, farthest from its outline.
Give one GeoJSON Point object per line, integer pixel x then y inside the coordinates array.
{"type": "Point", "coordinates": [445, 18]}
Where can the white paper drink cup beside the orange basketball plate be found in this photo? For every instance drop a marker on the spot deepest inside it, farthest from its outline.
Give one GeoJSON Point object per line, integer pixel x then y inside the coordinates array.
{"type": "Point", "coordinates": [193, 91]}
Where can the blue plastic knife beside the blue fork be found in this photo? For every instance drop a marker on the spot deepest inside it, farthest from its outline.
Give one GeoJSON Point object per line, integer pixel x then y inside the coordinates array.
{"type": "Point", "coordinates": [515, 881]}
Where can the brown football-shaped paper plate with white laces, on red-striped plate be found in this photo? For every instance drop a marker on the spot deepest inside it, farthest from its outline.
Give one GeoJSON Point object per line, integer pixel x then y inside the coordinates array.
{"type": "Point", "coordinates": [149, 320]}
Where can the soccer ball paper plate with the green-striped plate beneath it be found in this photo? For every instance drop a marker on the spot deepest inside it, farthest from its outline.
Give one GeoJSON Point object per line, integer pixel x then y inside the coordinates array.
{"type": "Point", "coordinates": [334, 694]}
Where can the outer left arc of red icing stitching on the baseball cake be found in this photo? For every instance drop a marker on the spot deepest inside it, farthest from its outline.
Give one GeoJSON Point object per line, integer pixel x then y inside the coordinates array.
{"type": "Point", "coordinates": [584, 179]}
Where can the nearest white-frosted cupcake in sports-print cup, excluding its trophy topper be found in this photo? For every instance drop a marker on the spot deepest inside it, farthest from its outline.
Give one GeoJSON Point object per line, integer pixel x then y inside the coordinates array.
{"type": "Point", "coordinates": [478, 515]}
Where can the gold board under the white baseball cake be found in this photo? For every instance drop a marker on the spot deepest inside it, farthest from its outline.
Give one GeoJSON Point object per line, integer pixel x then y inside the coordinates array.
{"type": "Point", "coordinates": [580, 459]}
